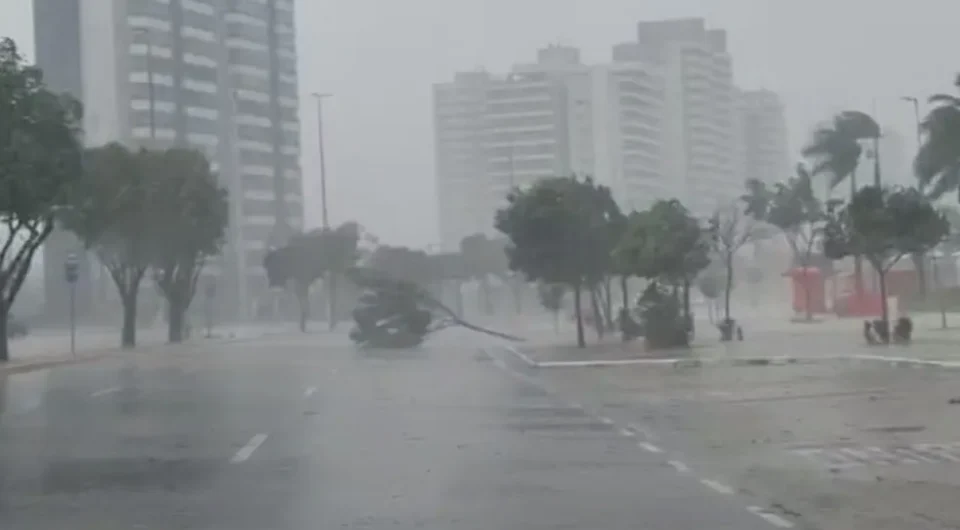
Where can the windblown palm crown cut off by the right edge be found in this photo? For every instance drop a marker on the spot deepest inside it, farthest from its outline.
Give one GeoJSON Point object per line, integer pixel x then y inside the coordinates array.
{"type": "Point", "coordinates": [937, 165]}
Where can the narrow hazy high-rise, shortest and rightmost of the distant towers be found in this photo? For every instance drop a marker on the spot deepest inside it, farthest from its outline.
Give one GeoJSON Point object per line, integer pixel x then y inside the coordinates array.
{"type": "Point", "coordinates": [766, 155]}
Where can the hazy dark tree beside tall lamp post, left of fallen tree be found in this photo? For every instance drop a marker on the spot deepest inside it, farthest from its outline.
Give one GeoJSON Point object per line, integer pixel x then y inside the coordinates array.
{"type": "Point", "coordinates": [307, 257]}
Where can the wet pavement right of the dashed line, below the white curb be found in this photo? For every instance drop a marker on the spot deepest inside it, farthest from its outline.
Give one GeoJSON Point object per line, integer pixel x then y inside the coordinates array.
{"type": "Point", "coordinates": [836, 444]}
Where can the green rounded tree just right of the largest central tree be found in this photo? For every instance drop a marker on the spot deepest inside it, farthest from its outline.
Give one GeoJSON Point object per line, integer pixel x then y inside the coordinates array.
{"type": "Point", "coordinates": [665, 243]}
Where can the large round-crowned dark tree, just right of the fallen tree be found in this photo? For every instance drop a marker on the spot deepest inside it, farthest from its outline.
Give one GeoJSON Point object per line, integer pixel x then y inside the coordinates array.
{"type": "Point", "coordinates": [556, 231]}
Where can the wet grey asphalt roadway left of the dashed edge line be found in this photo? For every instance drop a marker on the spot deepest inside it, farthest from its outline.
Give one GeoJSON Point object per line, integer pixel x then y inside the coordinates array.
{"type": "Point", "coordinates": [288, 434]}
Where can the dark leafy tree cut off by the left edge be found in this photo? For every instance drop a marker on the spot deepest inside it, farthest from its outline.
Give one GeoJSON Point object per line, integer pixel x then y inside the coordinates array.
{"type": "Point", "coordinates": [40, 159]}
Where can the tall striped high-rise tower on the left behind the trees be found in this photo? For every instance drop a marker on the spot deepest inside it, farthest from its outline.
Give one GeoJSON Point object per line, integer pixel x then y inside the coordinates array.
{"type": "Point", "coordinates": [216, 75]}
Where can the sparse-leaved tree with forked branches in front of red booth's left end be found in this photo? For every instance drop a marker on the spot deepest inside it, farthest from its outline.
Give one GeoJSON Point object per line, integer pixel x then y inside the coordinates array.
{"type": "Point", "coordinates": [793, 208]}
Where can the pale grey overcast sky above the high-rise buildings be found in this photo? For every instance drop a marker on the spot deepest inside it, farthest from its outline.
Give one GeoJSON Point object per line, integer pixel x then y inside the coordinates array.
{"type": "Point", "coordinates": [380, 57]}
